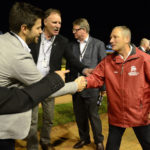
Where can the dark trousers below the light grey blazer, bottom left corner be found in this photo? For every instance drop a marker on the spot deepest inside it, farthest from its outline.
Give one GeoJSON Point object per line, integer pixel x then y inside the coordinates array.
{"type": "Point", "coordinates": [7, 144]}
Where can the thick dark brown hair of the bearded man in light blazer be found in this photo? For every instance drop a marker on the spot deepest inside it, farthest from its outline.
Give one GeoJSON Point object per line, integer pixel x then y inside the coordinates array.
{"type": "Point", "coordinates": [23, 13]}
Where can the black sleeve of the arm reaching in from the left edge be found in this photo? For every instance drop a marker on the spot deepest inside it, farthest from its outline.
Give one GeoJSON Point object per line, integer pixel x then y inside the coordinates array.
{"type": "Point", "coordinates": [16, 100]}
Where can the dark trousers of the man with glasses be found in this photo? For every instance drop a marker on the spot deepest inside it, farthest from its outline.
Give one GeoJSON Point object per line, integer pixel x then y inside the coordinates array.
{"type": "Point", "coordinates": [86, 110]}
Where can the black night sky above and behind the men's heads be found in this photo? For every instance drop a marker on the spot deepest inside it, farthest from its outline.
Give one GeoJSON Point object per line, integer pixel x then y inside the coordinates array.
{"type": "Point", "coordinates": [102, 16]}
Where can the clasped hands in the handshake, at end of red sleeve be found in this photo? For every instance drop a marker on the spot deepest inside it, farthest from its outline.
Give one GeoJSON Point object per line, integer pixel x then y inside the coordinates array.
{"type": "Point", "coordinates": [81, 82]}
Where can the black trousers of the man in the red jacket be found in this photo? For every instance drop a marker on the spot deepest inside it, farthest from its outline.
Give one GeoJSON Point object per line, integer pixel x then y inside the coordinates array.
{"type": "Point", "coordinates": [116, 133]}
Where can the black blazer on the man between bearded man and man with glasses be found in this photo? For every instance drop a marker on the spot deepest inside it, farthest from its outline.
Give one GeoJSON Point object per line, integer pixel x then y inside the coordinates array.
{"type": "Point", "coordinates": [60, 49]}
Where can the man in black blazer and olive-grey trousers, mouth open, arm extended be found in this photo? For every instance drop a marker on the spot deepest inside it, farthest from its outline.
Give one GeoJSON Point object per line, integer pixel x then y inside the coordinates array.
{"type": "Point", "coordinates": [48, 54]}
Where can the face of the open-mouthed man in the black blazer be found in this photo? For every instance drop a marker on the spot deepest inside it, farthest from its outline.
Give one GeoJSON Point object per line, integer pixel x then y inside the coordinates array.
{"type": "Point", "coordinates": [52, 24]}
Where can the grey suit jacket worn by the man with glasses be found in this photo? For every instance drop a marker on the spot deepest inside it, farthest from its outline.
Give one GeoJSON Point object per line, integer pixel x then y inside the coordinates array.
{"type": "Point", "coordinates": [94, 53]}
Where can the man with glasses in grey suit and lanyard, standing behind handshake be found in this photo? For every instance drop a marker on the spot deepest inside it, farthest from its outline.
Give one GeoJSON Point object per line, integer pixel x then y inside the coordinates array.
{"type": "Point", "coordinates": [90, 51]}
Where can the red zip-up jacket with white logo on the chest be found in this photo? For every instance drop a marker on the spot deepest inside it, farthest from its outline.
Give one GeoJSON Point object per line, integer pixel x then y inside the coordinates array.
{"type": "Point", "coordinates": [127, 85]}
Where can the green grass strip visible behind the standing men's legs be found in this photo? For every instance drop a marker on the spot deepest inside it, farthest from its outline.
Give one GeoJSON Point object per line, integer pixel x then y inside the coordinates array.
{"type": "Point", "coordinates": [64, 113]}
